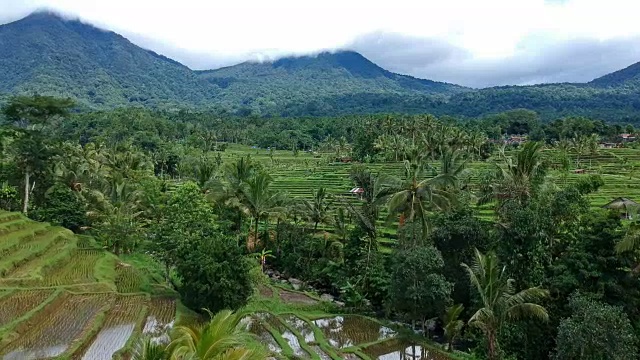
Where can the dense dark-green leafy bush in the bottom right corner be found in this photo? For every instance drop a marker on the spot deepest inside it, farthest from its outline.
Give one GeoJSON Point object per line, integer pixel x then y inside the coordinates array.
{"type": "Point", "coordinates": [595, 331]}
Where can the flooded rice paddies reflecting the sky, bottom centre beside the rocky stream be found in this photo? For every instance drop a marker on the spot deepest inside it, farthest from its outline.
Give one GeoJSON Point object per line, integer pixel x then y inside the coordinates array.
{"type": "Point", "coordinates": [311, 335]}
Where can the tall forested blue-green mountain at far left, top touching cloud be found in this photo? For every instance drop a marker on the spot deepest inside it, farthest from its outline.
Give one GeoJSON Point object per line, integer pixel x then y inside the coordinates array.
{"type": "Point", "coordinates": [46, 54]}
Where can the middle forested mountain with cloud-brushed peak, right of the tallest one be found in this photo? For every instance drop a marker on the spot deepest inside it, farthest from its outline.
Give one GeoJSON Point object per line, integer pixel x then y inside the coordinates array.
{"type": "Point", "coordinates": [270, 87]}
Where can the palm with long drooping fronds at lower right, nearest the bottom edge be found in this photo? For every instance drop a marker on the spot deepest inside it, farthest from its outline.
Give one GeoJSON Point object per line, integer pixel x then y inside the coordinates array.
{"type": "Point", "coordinates": [499, 300]}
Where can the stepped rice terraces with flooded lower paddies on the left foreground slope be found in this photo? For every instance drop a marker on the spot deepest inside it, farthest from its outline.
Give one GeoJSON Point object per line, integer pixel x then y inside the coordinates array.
{"type": "Point", "coordinates": [58, 300]}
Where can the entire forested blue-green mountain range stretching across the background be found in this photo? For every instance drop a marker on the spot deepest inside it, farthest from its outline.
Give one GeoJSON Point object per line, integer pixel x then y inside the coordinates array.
{"type": "Point", "coordinates": [50, 55]}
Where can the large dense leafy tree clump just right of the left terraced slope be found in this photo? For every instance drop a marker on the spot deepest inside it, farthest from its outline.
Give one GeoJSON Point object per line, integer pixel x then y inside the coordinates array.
{"type": "Point", "coordinates": [213, 271]}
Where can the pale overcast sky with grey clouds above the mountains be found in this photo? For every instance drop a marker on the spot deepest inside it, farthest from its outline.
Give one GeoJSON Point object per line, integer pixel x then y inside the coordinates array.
{"type": "Point", "coordinates": [468, 42]}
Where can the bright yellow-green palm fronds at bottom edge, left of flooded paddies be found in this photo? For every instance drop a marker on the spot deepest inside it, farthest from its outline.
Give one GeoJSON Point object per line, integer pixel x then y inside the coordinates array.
{"type": "Point", "coordinates": [224, 337]}
